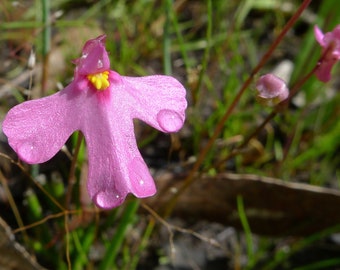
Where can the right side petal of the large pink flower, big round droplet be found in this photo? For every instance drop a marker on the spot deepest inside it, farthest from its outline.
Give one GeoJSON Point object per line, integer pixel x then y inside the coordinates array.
{"type": "Point", "coordinates": [157, 100]}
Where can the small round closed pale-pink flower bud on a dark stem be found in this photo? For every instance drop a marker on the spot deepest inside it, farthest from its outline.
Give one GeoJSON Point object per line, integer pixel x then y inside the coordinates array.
{"type": "Point", "coordinates": [271, 90]}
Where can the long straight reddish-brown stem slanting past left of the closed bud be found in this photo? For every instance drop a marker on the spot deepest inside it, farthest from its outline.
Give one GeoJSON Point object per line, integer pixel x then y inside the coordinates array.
{"type": "Point", "coordinates": [190, 178]}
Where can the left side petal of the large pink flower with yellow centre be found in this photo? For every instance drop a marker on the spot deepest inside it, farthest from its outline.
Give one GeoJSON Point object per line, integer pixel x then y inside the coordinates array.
{"type": "Point", "coordinates": [37, 129]}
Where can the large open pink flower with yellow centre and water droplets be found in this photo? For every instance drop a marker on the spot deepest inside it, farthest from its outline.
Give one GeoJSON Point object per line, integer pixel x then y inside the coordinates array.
{"type": "Point", "coordinates": [102, 105]}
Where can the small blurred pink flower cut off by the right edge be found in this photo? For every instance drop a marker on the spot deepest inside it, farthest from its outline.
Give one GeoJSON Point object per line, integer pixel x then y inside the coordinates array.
{"type": "Point", "coordinates": [330, 42]}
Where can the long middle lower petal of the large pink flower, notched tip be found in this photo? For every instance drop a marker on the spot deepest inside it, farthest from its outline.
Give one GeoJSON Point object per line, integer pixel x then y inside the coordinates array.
{"type": "Point", "coordinates": [116, 167]}
